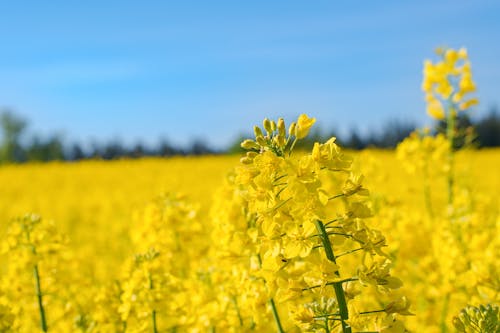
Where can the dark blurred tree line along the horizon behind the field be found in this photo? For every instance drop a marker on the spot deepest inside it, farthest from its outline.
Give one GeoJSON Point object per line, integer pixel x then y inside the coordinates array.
{"type": "Point", "coordinates": [17, 145]}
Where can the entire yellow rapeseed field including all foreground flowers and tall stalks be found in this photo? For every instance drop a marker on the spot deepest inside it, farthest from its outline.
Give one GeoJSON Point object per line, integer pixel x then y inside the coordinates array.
{"type": "Point", "coordinates": [279, 240]}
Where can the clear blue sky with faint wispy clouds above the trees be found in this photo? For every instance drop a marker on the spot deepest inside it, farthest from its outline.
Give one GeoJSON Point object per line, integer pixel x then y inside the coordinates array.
{"type": "Point", "coordinates": [100, 70]}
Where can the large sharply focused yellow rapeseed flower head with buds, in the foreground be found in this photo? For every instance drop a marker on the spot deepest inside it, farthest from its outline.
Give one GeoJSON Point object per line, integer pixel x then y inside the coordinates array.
{"type": "Point", "coordinates": [308, 245]}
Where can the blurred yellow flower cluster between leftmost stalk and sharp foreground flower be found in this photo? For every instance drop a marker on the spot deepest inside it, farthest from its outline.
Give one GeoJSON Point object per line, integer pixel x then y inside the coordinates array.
{"type": "Point", "coordinates": [156, 284]}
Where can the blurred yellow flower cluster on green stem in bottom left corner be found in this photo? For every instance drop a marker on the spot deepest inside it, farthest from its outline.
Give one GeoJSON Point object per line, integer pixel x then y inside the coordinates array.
{"type": "Point", "coordinates": [33, 275]}
